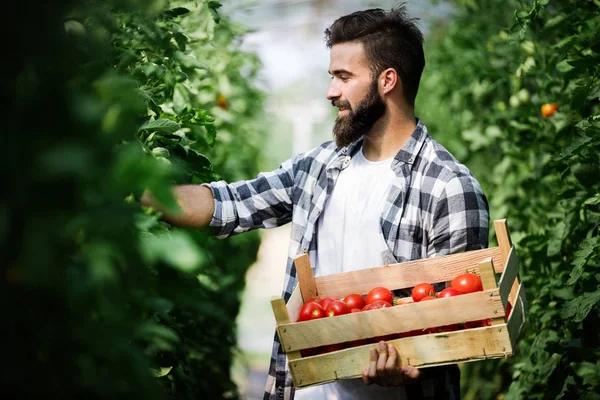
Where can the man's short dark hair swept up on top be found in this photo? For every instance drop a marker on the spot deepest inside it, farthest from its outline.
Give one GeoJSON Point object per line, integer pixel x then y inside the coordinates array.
{"type": "Point", "coordinates": [390, 39]}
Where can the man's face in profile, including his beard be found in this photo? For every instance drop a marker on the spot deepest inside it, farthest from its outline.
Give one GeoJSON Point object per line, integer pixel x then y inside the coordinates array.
{"type": "Point", "coordinates": [354, 92]}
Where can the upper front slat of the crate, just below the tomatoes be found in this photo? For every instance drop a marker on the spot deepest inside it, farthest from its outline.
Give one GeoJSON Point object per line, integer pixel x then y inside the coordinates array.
{"type": "Point", "coordinates": [386, 321]}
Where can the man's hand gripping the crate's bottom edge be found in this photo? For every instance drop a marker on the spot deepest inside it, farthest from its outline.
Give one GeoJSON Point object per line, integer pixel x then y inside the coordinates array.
{"type": "Point", "coordinates": [383, 368]}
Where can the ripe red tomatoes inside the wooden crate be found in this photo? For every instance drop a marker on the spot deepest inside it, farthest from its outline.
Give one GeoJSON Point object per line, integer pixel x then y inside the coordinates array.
{"type": "Point", "coordinates": [381, 297]}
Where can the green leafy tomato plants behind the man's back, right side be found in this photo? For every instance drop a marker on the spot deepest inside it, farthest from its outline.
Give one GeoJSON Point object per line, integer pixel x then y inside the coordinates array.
{"type": "Point", "coordinates": [491, 67]}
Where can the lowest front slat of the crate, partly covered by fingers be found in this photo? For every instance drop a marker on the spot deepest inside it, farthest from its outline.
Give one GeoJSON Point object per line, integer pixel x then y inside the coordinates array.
{"type": "Point", "coordinates": [421, 351]}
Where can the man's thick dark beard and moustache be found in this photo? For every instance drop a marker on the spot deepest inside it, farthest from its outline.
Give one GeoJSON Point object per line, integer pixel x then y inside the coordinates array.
{"type": "Point", "coordinates": [358, 123]}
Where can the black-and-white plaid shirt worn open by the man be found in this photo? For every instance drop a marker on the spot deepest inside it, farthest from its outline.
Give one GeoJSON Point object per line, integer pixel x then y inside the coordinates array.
{"type": "Point", "coordinates": [434, 207]}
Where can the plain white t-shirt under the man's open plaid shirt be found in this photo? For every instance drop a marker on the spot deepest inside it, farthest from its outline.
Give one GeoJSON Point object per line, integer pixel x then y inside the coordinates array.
{"type": "Point", "coordinates": [349, 238]}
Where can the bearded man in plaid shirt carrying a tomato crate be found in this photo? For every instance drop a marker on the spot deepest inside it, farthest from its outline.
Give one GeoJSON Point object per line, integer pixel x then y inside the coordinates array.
{"type": "Point", "coordinates": [383, 192]}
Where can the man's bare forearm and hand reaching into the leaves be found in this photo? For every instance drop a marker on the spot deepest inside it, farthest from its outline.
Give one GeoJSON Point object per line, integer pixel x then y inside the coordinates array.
{"type": "Point", "coordinates": [196, 203]}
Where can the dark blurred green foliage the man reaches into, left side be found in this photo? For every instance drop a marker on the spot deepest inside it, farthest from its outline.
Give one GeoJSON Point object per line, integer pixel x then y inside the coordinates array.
{"type": "Point", "coordinates": [102, 300]}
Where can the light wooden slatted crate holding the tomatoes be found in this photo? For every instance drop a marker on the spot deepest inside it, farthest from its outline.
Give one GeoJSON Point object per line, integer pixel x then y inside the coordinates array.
{"type": "Point", "coordinates": [497, 340]}
